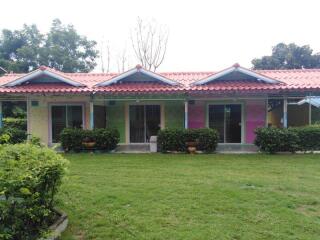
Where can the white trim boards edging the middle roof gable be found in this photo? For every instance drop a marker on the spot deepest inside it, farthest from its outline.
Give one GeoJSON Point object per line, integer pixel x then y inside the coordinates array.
{"type": "Point", "coordinates": [136, 70]}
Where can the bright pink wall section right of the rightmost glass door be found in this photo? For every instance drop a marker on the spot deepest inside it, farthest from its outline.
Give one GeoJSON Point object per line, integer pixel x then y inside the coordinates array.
{"type": "Point", "coordinates": [255, 117]}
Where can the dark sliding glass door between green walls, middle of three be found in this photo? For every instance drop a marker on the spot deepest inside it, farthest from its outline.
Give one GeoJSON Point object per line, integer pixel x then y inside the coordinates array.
{"type": "Point", "coordinates": [144, 122]}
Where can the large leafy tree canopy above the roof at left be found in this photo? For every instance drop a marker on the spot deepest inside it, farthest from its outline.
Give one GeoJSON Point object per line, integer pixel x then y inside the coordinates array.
{"type": "Point", "coordinates": [61, 48]}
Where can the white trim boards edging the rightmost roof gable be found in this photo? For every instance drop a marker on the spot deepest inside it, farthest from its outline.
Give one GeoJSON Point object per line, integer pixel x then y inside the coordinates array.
{"type": "Point", "coordinates": [227, 71]}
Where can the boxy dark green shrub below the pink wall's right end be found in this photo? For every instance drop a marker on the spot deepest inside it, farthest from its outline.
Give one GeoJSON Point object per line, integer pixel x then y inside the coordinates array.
{"type": "Point", "coordinates": [274, 140]}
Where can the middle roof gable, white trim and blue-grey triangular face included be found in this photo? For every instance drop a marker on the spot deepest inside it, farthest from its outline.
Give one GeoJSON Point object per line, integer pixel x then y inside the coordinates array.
{"type": "Point", "coordinates": [138, 74]}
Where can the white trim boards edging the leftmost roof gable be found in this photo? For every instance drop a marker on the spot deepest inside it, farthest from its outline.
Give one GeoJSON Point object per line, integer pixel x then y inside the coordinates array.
{"type": "Point", "coordinates": [38, 73]}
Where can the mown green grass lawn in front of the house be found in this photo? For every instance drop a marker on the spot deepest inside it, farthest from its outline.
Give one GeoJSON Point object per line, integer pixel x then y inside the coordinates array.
{"type": "Point", "coordinates": [154, 196]}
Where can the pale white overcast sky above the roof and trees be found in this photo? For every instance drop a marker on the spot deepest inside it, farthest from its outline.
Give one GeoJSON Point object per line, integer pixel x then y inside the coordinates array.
{"type": "Point", "coordinates": [203, 35]}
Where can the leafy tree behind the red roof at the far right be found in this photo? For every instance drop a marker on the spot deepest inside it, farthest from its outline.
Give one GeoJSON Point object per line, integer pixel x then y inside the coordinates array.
{"type": "Point", "coordinates": [289, 56]}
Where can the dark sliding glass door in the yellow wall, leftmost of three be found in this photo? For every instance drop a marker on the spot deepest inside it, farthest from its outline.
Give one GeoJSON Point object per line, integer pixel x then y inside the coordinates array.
{"type": "Point", "coordinates": [63, 116]}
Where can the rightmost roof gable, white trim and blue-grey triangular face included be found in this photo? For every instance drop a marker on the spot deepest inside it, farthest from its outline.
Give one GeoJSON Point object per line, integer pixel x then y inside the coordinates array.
{"type": "Point", "coordinates": [236, 72]}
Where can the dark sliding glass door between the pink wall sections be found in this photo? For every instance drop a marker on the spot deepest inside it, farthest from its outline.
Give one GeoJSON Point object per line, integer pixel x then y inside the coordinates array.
{"type": "Point", "coordinates": [226, 119]}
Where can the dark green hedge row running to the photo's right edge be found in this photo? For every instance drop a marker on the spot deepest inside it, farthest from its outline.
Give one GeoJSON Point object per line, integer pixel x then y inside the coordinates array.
{"type": "Point", "coordinates": [274, 140]}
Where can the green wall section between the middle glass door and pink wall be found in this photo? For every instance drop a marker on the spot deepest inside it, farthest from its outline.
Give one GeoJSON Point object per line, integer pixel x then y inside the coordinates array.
{"type": "Point", "coordinates": [174, 114]}
